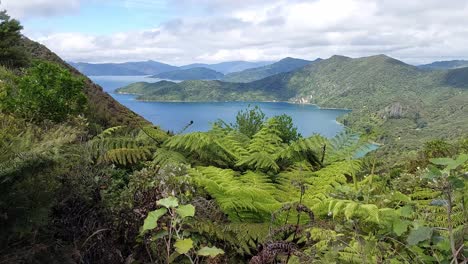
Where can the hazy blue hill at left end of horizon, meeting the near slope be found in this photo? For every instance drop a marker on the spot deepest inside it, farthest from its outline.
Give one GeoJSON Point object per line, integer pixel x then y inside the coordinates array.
{"type": "Point", "coordinates": [127, 68]}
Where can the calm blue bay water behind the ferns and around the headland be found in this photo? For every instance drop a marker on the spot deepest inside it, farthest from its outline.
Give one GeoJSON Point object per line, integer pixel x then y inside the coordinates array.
{"type": "Point", "coordinates": [309, 119]}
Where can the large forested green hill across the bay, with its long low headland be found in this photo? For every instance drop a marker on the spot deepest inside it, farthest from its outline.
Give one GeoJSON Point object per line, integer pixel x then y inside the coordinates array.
{"type": "Point", "coordinates": [395, 103]}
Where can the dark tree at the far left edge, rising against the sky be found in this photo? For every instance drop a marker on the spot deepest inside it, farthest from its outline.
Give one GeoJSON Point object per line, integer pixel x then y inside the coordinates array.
{"type": "Point", "coordinates": [11, 54]}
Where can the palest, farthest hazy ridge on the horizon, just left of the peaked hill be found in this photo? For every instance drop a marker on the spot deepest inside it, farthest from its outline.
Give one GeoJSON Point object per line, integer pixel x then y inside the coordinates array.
{"type": "Point", "coordinates": [228, 66]}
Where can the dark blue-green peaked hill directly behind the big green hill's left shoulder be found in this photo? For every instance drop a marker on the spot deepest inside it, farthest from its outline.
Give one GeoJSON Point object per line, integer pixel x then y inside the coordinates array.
{"type": "Point", "coordinates": [284, 65]}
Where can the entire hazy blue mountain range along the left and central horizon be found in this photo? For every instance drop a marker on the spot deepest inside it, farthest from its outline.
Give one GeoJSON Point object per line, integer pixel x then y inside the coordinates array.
{"type": "Point", "coordinates": [154, 67]}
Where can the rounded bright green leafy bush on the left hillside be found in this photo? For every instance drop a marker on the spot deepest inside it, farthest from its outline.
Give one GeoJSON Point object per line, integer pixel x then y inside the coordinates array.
{"type": "Point", "coordinates": [47, 91]}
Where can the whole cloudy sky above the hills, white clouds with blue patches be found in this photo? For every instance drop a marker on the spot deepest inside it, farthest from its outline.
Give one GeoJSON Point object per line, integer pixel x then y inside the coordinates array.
{"type": "Point", "coordinates": [186, 31]}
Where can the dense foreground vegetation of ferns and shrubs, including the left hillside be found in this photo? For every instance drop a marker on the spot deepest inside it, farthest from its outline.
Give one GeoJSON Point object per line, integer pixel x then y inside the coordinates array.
{"type": "Point", "coordinates": [75, 188]}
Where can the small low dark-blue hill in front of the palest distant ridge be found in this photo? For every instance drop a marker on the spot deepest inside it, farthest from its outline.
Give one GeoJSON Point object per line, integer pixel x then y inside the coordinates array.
{"type": "Point", "coordinates": [198, 73]}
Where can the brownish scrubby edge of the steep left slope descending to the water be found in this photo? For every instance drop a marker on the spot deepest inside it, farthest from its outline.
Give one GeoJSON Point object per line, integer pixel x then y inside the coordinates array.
{"type": "Point", "coordinates": [103, 109]}
